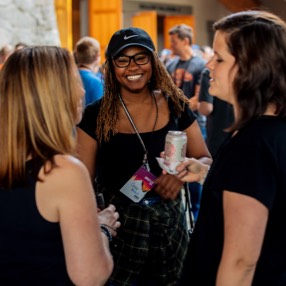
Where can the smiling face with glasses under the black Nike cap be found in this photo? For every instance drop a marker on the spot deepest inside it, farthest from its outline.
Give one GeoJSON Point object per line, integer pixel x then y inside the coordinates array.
{"type": "Point", "coordinates": [134, 77]}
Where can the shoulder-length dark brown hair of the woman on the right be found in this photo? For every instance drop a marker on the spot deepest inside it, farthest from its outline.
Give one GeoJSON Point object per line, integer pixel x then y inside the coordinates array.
{"type": "Point", "coordinates": [257, 40]}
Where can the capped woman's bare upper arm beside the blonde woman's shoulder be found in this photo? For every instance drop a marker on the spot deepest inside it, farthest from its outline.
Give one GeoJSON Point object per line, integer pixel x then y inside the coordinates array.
{"type": "Point", "coordinates": [87, 150]}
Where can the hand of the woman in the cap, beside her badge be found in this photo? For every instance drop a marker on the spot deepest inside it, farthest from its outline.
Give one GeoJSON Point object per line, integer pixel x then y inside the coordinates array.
{"type": "Point", "coordinates": [168, 186]}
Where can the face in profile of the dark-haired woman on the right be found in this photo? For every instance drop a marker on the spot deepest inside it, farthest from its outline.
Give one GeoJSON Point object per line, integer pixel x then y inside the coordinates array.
{"type": "Point", "coordinates": [222, 70]}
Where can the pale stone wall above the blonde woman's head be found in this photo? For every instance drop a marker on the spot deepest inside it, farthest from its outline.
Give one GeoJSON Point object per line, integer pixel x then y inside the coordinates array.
{"type": "Point", "coordinates": [30, 21]}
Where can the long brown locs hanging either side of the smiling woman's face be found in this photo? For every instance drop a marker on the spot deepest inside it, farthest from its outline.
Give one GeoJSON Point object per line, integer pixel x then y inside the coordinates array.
{"type": "Point", "coordinates": [109, 109]}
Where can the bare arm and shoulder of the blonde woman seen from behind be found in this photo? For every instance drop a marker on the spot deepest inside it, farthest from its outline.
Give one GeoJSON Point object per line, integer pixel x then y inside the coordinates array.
{"type": "Point", "coordinates": [70, 200]}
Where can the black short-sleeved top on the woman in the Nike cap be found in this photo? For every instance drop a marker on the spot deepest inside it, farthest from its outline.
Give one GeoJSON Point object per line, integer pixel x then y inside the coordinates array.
{"type": "Point", "coordinates": [120, 157]}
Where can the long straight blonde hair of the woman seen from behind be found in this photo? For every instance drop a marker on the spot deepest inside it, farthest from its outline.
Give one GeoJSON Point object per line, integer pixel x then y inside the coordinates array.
{"type": "Point", "coordinates": [40, 91]}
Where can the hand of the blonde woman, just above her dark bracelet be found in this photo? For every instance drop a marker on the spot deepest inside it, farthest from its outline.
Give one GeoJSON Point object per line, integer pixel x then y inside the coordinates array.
{"type": "Point", "coordinates": [109, 218]}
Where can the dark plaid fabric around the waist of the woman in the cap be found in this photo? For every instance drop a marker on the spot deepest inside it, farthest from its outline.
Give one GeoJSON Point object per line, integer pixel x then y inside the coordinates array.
{"type": "Point", "coordinates": [150, 245]}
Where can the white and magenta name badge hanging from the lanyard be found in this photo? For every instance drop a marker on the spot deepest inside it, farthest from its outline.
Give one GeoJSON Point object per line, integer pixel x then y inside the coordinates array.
{"type": "Point", "coordinates": [139, 184]}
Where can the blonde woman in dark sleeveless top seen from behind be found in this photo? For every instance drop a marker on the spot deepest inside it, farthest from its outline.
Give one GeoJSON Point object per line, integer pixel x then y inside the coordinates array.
{"type": "Point", "coordinates": [50, 231]}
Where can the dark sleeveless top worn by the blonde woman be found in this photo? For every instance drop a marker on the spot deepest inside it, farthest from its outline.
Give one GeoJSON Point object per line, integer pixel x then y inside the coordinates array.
{"type": "Point", "coordinates": [31, 249]}
